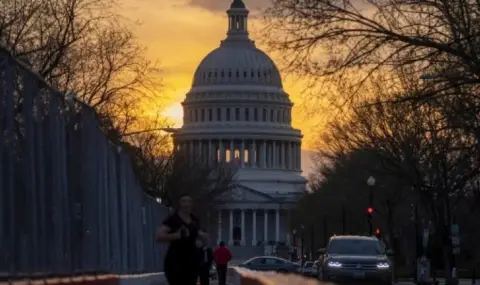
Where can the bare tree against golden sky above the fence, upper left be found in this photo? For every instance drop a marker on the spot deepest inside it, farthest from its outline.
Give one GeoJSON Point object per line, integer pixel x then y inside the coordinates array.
{"type": "Point", "coordinates": [85, 47]}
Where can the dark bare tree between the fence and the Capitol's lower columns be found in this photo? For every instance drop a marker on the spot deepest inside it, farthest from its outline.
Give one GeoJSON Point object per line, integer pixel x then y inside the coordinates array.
{"type": "Point", "coordinates": [166, 174]}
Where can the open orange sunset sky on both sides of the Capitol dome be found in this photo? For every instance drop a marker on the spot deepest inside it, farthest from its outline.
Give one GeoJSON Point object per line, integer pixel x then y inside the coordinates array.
{"type": "Point", "coordinates": [179, 33]}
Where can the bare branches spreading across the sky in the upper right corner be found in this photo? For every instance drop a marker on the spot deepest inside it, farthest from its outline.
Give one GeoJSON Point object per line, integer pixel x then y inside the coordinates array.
{"type": "Point", "coordinates": [347, 42]}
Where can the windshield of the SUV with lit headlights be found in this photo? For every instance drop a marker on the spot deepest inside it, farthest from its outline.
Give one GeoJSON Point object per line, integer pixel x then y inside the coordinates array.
{"type": "Point", "coordinates": [355, 247]}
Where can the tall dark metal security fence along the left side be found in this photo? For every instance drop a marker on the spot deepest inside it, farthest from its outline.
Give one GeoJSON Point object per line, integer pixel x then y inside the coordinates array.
{"type": "Point", "coordinates": [69, 202]}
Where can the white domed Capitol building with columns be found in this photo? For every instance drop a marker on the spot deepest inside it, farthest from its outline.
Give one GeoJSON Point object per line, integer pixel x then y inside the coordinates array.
{"type": "Point", "coordinates": [237, 112]}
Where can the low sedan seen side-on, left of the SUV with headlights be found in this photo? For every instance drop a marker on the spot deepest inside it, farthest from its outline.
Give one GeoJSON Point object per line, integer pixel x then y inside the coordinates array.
{"type": "Point", "coordinates": [271, 263]}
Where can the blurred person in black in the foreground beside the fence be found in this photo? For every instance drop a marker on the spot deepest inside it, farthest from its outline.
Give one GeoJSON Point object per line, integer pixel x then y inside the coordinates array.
{"type": "Point", "coordinates": [181, 230]}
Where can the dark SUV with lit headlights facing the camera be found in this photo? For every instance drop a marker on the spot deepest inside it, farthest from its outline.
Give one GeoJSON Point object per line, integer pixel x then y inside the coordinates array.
{"type": "Point", "coordinates": [355, 259]}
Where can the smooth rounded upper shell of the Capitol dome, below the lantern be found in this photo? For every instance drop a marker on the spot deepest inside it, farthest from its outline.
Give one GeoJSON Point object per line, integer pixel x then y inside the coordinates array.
{"type": "Point", "coordinates": [237, 64]}
